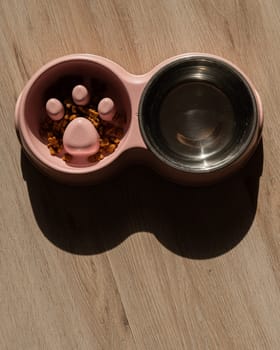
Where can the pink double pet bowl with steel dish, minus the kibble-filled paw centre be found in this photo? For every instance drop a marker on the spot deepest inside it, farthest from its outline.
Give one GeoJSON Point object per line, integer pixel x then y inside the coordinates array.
{"type": "Point", "coordinates": [194, 118]}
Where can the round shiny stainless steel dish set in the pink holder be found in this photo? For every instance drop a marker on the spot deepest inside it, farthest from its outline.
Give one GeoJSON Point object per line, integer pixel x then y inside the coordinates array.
{"type": "Point", "coordinates": [198, 114]}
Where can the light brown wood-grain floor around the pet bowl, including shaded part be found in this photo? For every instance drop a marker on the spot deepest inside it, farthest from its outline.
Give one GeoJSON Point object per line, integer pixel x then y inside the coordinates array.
{"type": "Point", "coordinates": [138, 262]}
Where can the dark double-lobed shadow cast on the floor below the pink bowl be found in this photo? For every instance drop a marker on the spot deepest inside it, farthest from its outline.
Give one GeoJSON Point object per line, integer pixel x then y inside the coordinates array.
{"type": "Point", "coordinates": [193, 222]}
